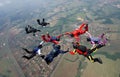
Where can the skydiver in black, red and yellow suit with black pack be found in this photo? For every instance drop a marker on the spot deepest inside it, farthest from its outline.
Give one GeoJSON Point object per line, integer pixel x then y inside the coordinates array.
{"type": "Point", "coordinates": [83, 50]}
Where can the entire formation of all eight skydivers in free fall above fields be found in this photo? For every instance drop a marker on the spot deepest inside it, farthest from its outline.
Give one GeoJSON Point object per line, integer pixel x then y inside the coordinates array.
{"type": "Point", "coordinates": [96, 42]}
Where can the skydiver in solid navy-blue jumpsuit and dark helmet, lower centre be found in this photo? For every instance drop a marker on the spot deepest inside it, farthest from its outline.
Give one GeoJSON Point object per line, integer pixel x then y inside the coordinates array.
{"type": "Point", "coordinates": [54, 53]}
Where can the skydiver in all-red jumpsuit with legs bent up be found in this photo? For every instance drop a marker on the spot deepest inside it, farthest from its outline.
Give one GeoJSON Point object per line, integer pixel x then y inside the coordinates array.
{"type": "Point", "coordinates": [77, 32]}
